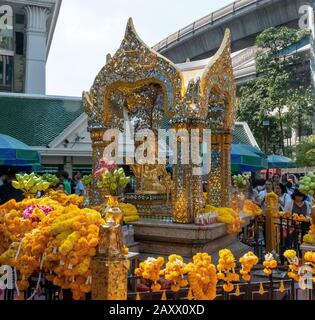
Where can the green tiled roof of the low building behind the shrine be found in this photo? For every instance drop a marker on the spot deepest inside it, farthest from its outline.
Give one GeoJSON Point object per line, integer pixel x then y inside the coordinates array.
{"type": "Point", "coordinates": [38, 120]}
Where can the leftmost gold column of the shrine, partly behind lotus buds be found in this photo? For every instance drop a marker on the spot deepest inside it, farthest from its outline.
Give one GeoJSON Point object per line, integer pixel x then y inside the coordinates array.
{"type": "Point", "coordinates": [98, 146]}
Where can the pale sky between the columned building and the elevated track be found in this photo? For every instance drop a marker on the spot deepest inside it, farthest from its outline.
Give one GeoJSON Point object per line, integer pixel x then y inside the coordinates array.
{"type": "Point", "coordinates": [87, 30]}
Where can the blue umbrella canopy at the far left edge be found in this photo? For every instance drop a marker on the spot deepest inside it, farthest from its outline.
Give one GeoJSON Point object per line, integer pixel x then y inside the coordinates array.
{"type": "Point", "coordinates": [16, 153]}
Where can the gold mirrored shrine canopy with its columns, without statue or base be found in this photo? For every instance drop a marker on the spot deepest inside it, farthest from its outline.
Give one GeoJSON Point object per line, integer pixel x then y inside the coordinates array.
{"type": "Point", "coordinates": [138, 83]}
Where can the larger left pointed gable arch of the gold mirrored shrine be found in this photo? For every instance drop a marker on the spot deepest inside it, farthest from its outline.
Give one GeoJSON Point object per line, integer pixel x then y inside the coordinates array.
{"type": "Point", "coordinates": [134, 68]}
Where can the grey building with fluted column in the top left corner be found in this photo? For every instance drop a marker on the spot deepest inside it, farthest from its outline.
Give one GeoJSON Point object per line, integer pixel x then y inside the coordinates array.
{"type": "Point", "coordinates": [26, 32]}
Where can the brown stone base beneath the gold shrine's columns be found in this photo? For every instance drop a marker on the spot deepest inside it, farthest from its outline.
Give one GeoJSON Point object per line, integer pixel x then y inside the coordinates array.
{"type": "Point", "coordinates": [159, 238]}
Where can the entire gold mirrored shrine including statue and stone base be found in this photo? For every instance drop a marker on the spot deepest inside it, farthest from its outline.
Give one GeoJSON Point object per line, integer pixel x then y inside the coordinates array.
{"type": "Point", "coordinates": [139, 85]}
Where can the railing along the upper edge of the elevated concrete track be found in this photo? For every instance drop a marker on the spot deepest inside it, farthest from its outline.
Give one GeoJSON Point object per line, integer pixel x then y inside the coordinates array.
{"type": "Point", "coordinates": [211, 18]}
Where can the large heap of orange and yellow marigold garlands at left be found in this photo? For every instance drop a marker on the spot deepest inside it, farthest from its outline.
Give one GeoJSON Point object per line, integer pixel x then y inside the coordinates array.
{"type": "Point", "coordinates": [51, 236]}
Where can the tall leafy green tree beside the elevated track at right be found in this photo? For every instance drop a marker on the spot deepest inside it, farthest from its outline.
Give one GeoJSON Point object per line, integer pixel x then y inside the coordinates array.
{"type": "Point", "coordinates": [276, 94]}
